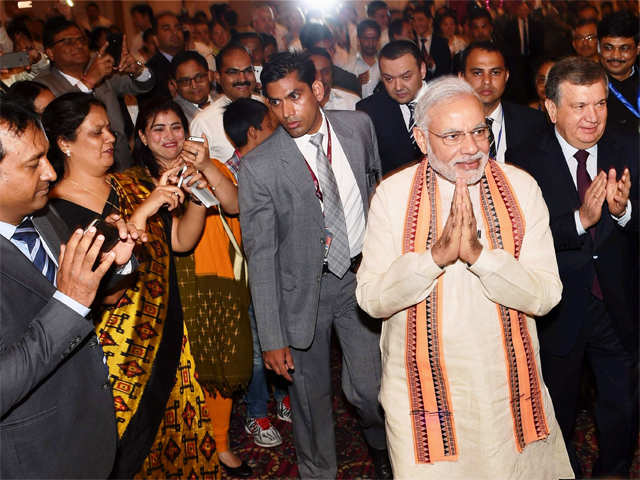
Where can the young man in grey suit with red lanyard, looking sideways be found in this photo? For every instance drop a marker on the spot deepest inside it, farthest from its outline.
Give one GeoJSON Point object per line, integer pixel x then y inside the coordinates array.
{"type": "Point", "coordinates": [304, 195]}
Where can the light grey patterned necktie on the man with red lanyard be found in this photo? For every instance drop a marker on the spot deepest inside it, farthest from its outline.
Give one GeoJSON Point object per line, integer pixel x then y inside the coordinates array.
{"type": "Point", "coordinates": [338, 258]}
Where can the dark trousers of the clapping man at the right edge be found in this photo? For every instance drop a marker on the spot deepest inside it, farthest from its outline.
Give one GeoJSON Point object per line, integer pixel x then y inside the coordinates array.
{"type": "Point", "coordinates": [599, 346]}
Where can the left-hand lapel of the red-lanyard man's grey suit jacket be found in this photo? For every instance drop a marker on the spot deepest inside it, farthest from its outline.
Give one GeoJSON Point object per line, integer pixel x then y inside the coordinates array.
{"type": "Point", "coordinates": [297, 173]}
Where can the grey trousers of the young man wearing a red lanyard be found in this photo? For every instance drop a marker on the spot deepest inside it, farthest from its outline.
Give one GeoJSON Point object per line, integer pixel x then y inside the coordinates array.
{"type": "Point", "coordinates": [310, 392]}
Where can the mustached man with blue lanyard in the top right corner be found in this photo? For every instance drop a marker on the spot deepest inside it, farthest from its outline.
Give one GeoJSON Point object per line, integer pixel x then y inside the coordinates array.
{"type": "Point", "coordinates": [619, 48]}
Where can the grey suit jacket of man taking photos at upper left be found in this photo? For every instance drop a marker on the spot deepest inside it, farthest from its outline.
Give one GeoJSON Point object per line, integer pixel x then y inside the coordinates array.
{"type": "Point", "coordinates": [107, 92]}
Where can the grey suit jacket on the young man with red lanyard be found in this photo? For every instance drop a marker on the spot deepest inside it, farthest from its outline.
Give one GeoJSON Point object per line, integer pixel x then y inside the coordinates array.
{"type": "Point", "coordinates": [283, 226]}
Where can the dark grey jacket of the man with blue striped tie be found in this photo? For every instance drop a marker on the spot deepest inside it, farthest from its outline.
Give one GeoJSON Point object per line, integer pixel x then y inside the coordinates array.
{"type": "Point", "coordinates": [57, 418]}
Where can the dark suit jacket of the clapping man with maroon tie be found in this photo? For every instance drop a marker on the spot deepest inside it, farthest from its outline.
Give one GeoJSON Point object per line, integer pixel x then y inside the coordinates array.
{"type": "Point", "coordinates": [614, 255]}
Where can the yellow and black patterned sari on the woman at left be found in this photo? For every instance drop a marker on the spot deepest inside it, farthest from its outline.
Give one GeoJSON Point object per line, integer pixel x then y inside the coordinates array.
{"type": "Point", "coordinates": [163, 425]}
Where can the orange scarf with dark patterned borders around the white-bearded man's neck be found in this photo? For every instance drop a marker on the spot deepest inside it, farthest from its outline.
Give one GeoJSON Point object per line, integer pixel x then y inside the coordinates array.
{"type": "Point", "coordinates": [432, 419]}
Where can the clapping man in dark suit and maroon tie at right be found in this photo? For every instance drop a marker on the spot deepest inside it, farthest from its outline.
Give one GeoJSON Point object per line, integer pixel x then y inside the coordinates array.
{"type": "Point", "coordinates": [588, 178]}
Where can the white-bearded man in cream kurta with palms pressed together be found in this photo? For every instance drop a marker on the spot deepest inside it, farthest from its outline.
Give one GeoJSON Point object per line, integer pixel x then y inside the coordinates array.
{"type": "Point", "coordinates": [458, 259]}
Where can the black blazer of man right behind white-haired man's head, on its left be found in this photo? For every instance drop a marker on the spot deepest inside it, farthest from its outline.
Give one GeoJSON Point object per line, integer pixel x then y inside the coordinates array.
{"type": "Point", "coordinates": [394, 145]}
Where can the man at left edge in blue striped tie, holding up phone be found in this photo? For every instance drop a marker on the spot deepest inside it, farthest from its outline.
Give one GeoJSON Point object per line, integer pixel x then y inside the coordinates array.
{"type": "Point", "coordinates": [56, 407]}
